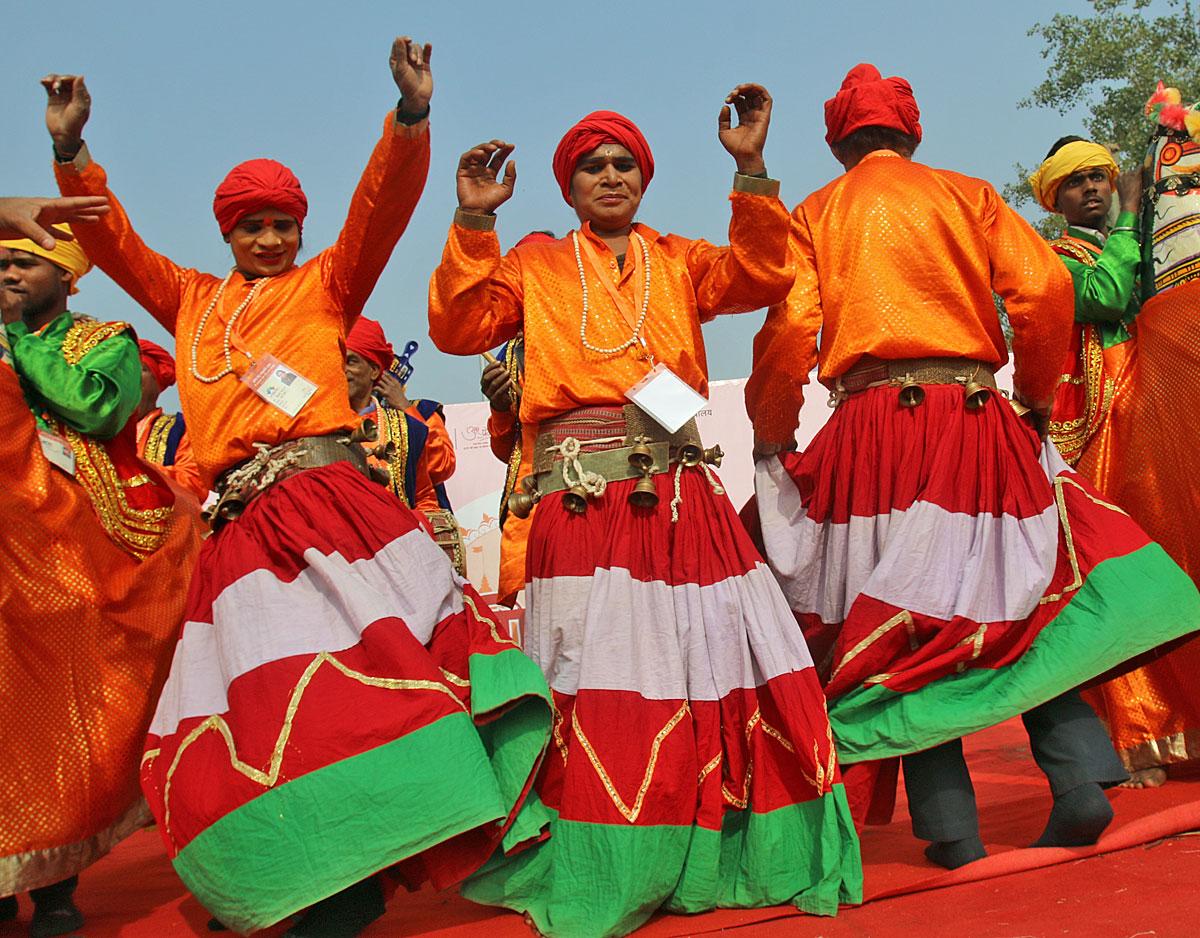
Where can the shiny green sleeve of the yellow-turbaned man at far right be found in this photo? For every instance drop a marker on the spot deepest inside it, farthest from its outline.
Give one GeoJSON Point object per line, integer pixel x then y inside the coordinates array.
{"type": "Point", "coordinates": [1106, 294]}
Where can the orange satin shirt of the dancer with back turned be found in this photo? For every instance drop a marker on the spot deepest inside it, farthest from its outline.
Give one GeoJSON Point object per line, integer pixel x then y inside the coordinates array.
{"type": "Point", "coordinates": [899, 261]}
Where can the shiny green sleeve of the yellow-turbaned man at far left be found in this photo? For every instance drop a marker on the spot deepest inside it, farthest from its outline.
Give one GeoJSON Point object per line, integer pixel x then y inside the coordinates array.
{"type": "Point", "coordinates": [98, 396]}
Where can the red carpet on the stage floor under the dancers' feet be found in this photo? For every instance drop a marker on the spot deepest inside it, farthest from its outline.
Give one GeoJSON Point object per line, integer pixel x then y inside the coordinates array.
{"type": "Point", "coordinates": [1143, 880]}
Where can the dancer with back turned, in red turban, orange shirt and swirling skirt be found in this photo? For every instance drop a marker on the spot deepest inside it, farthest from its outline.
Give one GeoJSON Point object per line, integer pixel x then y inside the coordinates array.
{"type": "Point", "coordinates": [950, 570]}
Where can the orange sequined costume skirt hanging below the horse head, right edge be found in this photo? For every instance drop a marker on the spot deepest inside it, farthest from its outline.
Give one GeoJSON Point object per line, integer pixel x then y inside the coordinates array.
{"type": "Point", "coordinates": [1144, 459]}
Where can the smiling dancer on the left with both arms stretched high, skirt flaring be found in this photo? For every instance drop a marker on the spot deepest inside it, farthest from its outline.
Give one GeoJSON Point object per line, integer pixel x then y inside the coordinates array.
{"type": "Point", "coordinates": [339, 702]}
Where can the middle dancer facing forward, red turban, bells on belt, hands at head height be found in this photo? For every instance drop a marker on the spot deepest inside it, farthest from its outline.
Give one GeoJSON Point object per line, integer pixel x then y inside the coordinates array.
{"type": "Point", "coordinates": [689, 723]}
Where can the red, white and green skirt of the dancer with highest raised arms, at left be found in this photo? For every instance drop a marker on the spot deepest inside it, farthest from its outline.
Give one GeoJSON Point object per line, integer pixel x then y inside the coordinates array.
{"type": "Point", "coordinates": [340, 702]}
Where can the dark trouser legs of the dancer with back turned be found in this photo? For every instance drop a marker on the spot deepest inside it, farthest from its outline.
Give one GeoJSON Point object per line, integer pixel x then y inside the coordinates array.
{"type": "Point", "coordinates": [1069, 743]}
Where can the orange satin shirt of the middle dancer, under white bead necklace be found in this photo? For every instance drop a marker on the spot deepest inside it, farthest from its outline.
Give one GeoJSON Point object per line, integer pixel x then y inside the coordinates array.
{"type": "Point", "coordinates": [479, 299]}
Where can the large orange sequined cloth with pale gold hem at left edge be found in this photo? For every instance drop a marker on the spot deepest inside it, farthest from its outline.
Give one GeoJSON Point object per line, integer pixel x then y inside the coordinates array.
{"type": "Point", "coordinates": [87, 634]}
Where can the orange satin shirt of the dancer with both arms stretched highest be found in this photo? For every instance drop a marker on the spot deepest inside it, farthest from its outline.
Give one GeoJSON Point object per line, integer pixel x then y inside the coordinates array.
{"type": "Point", "coordinates": [301, 317]}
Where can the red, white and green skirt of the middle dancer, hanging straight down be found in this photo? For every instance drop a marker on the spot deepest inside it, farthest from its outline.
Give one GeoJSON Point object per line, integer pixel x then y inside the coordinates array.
{"type": "Point", "coordinates": [693, 765]}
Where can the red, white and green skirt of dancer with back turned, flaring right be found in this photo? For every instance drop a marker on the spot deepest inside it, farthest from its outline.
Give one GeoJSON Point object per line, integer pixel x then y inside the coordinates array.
{"type": "Point", "coordinates": [951, 572]}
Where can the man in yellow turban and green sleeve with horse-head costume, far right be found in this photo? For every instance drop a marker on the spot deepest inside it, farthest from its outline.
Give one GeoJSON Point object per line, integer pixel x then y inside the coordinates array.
{"type": "Point", "coordinates": [1121, 417]}
